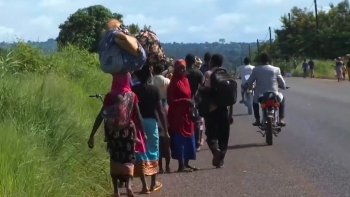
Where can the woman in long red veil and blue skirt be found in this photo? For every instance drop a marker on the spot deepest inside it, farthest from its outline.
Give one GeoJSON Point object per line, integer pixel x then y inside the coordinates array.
{"type": "Point", "coordinates": [183, 146]}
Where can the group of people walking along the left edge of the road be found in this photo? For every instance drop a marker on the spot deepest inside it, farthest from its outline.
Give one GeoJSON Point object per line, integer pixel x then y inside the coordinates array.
{"type": "Point", "coordinates": [161, 123]}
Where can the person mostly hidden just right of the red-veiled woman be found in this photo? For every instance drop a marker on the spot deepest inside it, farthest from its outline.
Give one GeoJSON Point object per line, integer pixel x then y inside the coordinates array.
{"type": "Point", "coordinates": [196, 79]}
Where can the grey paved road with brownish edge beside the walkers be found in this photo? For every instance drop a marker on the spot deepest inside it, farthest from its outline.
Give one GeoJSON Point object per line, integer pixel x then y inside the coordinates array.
{"type": "Point", "coordinates": [310, 158]}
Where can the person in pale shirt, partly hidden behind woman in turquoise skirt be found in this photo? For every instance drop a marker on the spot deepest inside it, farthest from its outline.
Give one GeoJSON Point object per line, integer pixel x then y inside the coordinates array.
{"type": "Point", "coordinates": [162, 84]}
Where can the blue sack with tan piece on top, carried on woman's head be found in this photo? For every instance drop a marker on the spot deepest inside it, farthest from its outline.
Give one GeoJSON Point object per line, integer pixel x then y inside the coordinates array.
{"type": "Point", "coordinates": [120, 52]}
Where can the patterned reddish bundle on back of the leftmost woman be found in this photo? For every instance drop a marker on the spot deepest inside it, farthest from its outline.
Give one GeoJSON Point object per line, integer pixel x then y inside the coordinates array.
{"type": "Point", "coordinates": [118, 115]}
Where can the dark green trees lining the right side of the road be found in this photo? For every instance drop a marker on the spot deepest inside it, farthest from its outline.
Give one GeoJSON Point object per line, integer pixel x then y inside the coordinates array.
{"type": "Point", "coordinates": [302, 36]}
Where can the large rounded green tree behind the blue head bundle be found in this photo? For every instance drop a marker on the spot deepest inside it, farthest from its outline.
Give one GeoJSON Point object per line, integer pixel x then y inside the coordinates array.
{"type": "Point", "coordinates": [84, 27]}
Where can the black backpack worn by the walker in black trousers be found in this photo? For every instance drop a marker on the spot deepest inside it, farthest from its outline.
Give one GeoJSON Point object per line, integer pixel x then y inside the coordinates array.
{"type": "Point", "coordinates": [224, 88]}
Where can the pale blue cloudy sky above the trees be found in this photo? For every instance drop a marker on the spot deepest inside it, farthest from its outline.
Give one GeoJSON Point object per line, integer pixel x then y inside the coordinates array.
{"type": "Point", "coordinates": [172, 20]}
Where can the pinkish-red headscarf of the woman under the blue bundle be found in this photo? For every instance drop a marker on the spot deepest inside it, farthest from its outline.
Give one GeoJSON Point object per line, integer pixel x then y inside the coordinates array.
{"type": "Point", "coordinates": [121, 83]}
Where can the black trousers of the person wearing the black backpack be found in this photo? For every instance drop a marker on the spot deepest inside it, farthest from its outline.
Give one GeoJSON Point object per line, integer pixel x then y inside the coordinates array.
{"type": "Point", "coordinates": [217, 130]}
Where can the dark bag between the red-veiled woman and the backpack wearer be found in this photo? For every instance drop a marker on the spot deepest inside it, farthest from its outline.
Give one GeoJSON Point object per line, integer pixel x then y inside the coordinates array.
{"type": "Point", "coordinates": [202, 100]}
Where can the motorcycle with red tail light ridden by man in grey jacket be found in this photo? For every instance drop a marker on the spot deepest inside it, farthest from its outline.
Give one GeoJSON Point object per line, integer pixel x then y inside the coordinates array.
{"type": "Point", "coordinates": [269, 127]}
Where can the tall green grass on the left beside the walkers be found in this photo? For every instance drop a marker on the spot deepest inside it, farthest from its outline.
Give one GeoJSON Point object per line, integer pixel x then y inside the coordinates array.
{"type": "Point", "coordinates": [45, 119]}
